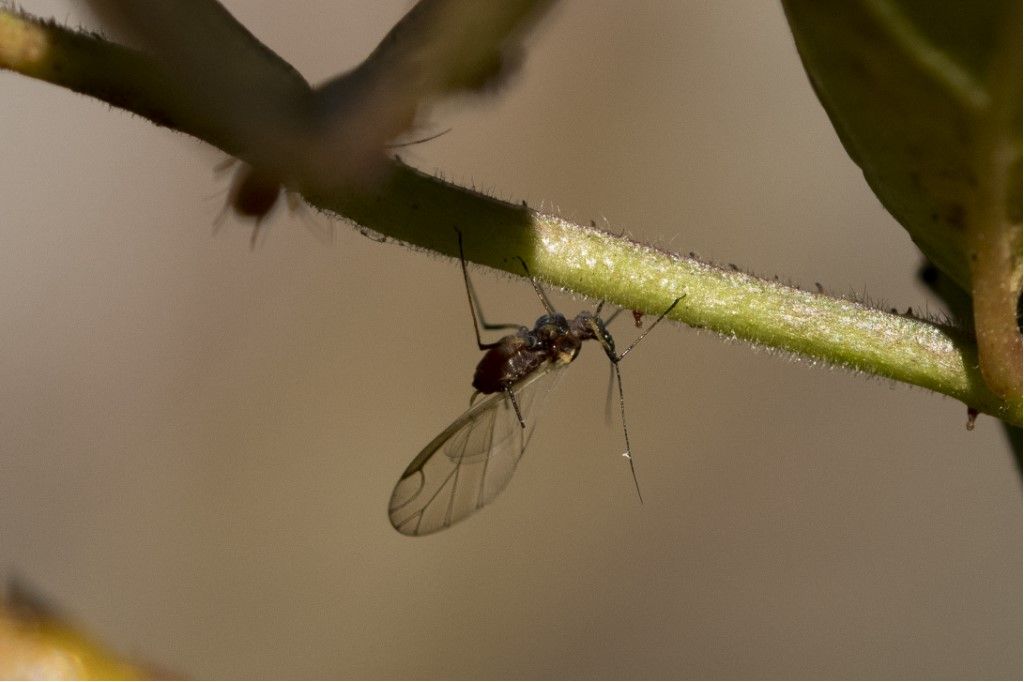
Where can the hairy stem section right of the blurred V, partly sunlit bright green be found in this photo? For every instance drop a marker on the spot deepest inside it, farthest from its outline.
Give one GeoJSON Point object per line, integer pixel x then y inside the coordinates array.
{"type": "Point", "coordinates": [424, 211]}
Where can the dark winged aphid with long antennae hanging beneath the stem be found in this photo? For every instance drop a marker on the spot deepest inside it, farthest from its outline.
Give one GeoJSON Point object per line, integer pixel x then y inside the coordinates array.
{"type": "Point", "coordinates": [473, 460]}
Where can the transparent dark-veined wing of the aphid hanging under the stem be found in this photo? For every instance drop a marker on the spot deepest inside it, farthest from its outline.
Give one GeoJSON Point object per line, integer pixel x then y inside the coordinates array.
{"type": "Point", "coordinates": [471, 462]}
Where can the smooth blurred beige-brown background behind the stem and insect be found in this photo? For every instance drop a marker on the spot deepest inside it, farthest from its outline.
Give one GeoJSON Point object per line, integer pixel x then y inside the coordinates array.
{"type": "Point", "coordinates": [198, 442]}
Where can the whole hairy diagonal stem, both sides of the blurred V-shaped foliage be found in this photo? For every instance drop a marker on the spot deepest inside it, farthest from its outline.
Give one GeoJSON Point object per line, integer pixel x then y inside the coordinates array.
{"type": "Point", "coordinates": [424, 211]}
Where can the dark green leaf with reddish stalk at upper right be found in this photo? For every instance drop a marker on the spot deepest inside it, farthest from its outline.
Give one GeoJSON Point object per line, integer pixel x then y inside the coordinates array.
{"type": "Point", "coordinates": [926, 97]}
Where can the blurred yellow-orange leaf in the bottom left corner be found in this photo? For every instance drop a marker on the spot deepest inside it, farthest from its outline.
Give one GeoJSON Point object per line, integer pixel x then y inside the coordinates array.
{"type": "Point", "coordinates": [37, 645]}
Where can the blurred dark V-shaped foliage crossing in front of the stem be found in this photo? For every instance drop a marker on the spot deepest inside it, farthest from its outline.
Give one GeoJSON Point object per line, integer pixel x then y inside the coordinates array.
{"type": "Point", "coordinates": [338, 136]}
